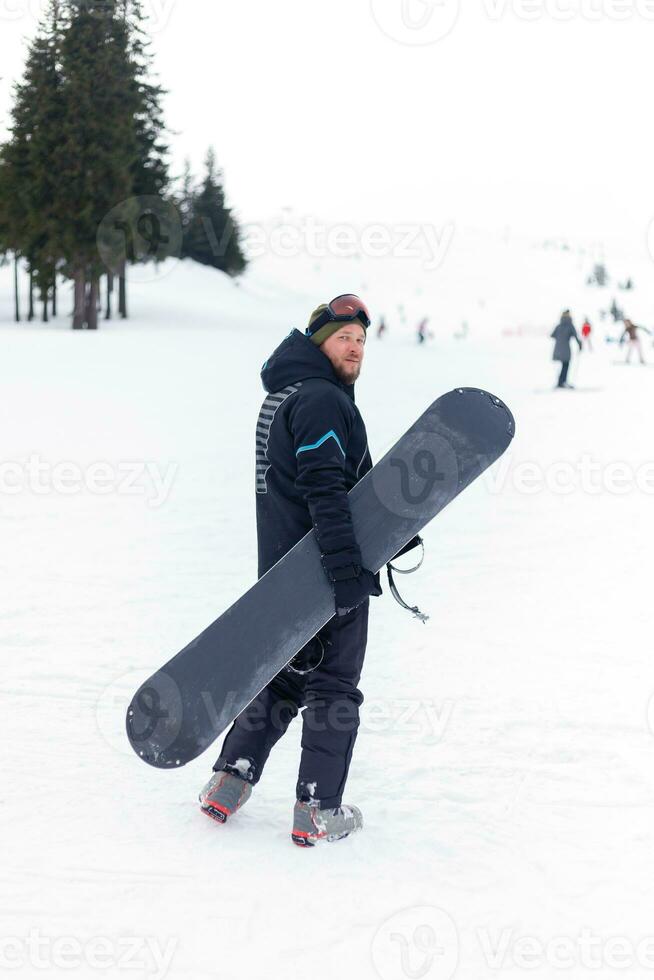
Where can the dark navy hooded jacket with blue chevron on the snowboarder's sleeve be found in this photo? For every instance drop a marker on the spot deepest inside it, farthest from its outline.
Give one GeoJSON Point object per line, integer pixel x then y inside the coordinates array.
{"type": "Point", "coordinates": [311, 449]}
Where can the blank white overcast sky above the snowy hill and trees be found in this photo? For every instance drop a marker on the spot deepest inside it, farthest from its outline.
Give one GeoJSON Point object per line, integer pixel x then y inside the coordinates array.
{"type": "Point", "coordinates": [524, 113]}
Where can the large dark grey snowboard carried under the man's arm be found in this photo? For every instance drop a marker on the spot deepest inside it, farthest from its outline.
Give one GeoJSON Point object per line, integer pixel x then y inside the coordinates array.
{"type": "Point", "coordinates": [181, 710]}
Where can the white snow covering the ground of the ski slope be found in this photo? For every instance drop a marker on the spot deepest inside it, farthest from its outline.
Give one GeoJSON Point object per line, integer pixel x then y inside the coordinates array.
{"type": "Point", "coordinates": [505, 761]}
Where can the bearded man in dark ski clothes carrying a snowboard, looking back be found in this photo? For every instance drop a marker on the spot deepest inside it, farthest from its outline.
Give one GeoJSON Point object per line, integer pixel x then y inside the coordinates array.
{"type": "Point", "coordinates": [311, 449]}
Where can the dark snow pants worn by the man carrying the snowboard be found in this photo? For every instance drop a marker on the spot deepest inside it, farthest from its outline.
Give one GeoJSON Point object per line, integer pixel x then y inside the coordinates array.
{"type": "Point", "coordinates": [330, 721]}
